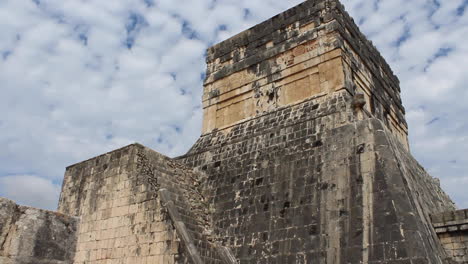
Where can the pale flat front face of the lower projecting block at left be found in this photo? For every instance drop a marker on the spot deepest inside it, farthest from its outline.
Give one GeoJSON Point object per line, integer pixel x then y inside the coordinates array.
{"type": "Point", "coordinates": [122, 220]}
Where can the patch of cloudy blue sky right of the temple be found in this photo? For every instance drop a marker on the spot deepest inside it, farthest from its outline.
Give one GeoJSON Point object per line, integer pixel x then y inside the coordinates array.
{"type": "Point", "coordinates": [431, 64]}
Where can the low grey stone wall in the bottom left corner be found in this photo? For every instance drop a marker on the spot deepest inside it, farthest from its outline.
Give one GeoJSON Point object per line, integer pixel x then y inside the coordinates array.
{"type": "Point", "coordinates": [33, 236]}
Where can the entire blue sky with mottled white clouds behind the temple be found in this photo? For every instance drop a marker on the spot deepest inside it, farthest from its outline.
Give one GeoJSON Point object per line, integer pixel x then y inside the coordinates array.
{"type": "Point", "coordinates": [82, 77]}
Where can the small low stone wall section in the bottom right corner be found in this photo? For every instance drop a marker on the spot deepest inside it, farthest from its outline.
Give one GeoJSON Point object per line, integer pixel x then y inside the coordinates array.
{"type": "Point", "coordinates": [452, 229]}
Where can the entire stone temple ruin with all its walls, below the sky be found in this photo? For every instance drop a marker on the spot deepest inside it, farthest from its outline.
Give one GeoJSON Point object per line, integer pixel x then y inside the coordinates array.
{"type": "Point", "coordinates": [303, 158]}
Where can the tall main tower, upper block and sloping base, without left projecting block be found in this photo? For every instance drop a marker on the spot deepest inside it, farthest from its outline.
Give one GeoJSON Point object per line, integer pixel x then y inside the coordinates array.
{"type": "Point", "coordinates": [305, 147]}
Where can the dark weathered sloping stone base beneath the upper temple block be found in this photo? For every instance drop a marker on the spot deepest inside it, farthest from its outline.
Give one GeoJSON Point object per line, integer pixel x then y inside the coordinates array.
{"type": "Point", "coordinates": [311, 183]}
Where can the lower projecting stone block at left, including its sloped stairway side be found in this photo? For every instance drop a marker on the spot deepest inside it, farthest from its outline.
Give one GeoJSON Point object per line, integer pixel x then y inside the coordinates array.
{"type": "Point", "coordinates": [122, 217]}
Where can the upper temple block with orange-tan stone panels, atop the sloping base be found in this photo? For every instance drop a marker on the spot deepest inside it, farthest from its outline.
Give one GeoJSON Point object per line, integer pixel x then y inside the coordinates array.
{"type": "Point", "coordinates": [311, 50]}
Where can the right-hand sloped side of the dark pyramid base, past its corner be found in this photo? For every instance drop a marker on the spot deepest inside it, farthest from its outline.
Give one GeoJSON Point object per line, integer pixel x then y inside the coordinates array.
{"type": "Point", "coordinates": [401, 196]}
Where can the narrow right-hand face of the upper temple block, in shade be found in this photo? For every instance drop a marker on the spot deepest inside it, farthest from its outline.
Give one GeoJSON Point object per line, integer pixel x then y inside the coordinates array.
{"type": "Point", "coordinates": [367, 72]}
